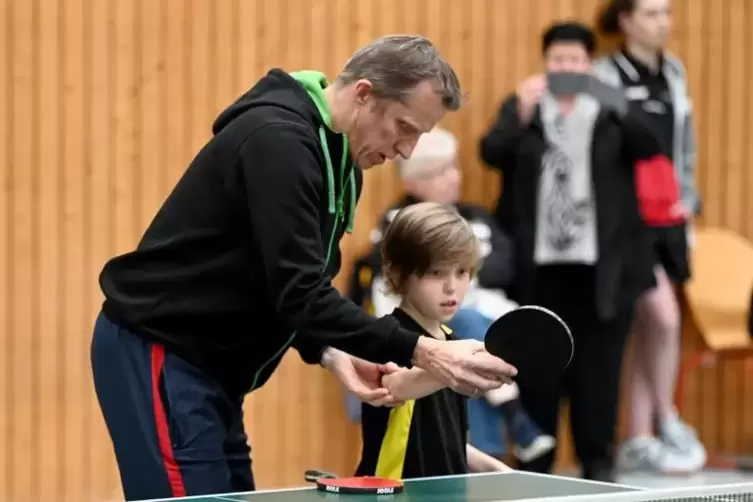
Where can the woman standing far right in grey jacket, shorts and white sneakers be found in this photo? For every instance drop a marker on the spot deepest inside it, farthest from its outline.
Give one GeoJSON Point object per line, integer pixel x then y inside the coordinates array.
{"type": "Point", "coordinates": [656, 87]}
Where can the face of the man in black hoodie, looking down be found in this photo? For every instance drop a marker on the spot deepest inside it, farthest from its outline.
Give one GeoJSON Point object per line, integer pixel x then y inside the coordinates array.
{"type": "Point", "coordinates": [384, 129]}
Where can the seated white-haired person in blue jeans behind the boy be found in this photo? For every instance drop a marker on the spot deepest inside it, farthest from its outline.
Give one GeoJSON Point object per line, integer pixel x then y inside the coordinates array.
{"type": "Point", "coordinates": [431, 173]}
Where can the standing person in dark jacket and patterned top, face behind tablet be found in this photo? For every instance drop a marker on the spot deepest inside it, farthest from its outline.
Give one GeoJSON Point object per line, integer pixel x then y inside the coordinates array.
{"type": "Point", "coordinates": [569, 201]}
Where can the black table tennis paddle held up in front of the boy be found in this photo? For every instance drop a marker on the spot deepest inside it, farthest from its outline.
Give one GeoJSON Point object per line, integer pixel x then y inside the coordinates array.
{"type": "Point", "coordinates": [535, 341]}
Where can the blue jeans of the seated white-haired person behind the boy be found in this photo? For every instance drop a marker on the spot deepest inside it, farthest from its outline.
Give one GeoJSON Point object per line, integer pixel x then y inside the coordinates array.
{"type": "Point", "coordinates": [484, 421]}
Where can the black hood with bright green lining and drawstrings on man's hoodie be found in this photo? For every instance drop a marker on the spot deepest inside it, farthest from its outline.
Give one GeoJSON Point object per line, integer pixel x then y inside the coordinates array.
{"type": "Point", "coordinates": [302, 92]}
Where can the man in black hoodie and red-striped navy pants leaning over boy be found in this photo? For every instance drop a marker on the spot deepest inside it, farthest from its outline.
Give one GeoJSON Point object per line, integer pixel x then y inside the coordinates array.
{"type": "Point", "coordinates": [235, 268]}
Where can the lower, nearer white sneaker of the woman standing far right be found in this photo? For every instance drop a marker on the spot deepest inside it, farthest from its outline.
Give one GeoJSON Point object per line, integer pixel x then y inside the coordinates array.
{"type": "Point", "coordinates": [649, 454]}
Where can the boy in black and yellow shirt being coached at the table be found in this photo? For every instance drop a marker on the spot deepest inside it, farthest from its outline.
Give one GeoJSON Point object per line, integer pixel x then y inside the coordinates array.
{"type": "Point", "coordinates": [430, 254]}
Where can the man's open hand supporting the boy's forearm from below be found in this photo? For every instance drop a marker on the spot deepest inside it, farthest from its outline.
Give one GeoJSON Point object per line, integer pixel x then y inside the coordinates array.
{"type": "Point", "coordinates": [362, 378]}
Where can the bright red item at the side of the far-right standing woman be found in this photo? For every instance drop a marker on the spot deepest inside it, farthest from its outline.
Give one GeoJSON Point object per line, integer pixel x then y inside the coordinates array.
{"type": "Point", "coordinates": [658, 191]}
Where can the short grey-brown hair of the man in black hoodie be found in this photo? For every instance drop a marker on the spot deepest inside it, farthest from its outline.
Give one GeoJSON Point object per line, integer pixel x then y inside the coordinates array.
{"type": "Point", "coordinates": [396, 64]}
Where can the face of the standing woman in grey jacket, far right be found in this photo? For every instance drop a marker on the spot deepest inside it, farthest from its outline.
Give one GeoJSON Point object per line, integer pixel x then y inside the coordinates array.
{"type": "Point", "coordinates": [650, 23]}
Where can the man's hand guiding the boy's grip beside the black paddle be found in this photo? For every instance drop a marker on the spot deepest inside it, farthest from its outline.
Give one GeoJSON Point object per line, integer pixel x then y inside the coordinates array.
{"type": "Point", "coordinates": [462, 365]}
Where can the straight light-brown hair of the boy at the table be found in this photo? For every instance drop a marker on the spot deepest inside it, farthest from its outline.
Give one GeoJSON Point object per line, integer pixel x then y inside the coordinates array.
{"type": "Point", "coordinates": [423, 236]}
